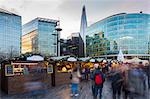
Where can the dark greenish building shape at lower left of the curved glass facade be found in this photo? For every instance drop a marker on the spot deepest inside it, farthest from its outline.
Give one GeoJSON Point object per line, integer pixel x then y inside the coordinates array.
{"type": "Point", "coordinates": [97, 45]}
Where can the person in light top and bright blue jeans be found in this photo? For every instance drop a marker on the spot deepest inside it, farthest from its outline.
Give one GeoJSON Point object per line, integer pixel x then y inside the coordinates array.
{"type": "Point", "coordinates": [75, 81]}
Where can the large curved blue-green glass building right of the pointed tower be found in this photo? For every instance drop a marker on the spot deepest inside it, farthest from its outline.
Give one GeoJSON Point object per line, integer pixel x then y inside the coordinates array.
{"type": "Point", "coordinates": [130, 32]}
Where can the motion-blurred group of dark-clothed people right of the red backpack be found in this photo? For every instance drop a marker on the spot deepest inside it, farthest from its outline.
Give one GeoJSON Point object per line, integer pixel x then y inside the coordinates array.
{"type": "Point", "coordinates": [132, 80]}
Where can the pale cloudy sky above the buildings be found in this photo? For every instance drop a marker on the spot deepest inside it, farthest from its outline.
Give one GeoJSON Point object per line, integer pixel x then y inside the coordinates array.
{"type": "Point", "coordinates": [69, 11]}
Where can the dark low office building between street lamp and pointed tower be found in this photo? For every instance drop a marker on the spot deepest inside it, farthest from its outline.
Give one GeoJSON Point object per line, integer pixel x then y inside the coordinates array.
{"type": "Point", "coordinates": [73, 45]}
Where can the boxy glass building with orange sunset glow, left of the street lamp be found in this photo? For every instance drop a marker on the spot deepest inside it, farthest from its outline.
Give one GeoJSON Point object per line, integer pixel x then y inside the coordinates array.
{"type": "Point", "coordinates": [40, 37]}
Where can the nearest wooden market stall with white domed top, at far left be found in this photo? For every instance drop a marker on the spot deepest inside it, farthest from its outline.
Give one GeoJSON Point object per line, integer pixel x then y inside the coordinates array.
{"type": "Point", "coordinates": [32, 75]}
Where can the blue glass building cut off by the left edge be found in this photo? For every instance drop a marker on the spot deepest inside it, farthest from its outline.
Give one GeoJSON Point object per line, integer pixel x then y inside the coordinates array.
{"type": "Point", "coordinates": [10, 34]}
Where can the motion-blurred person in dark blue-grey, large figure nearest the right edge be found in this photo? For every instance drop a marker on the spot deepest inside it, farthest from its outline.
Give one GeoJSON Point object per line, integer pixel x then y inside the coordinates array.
{"type": "Point", "coordinates": [134, 84]}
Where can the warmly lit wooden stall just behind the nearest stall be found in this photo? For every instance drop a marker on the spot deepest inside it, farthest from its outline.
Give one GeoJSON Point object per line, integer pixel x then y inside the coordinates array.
{"type": "Point", "coordinates": [62, 69]}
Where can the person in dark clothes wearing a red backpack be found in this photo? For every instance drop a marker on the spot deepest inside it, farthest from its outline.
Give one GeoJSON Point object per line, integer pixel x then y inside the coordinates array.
{"type": "Point", "coordinates": [98, 80]}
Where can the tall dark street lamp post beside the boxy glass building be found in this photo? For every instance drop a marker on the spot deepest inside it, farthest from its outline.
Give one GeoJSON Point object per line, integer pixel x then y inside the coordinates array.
{"type": "Point", "coordinates": [58, 29]}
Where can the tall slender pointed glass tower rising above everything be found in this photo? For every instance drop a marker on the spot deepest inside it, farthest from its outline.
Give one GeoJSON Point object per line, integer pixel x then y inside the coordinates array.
{"type": "Point", "coordinates": [83, 26]}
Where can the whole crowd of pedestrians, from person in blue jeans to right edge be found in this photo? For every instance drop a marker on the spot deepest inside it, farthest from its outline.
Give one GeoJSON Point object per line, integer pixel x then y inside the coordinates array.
{"type": "Point", "coordinates": [128, 80]}
